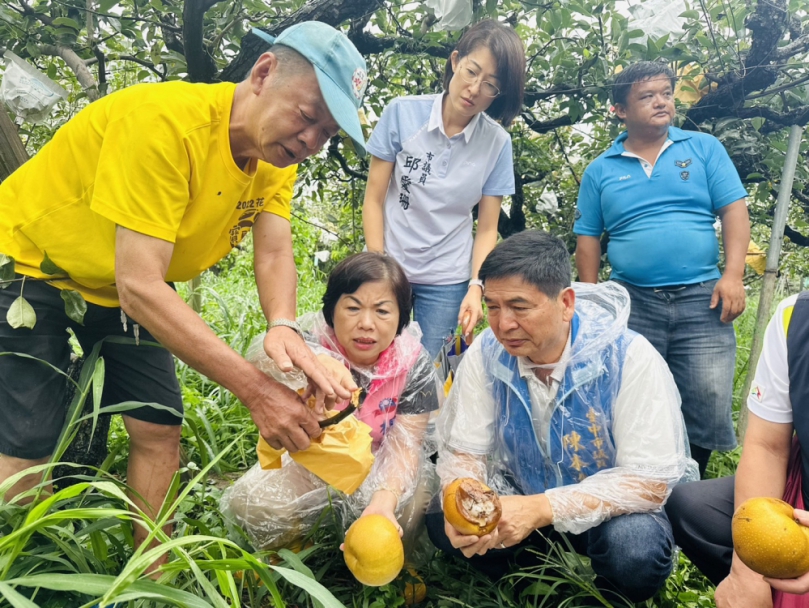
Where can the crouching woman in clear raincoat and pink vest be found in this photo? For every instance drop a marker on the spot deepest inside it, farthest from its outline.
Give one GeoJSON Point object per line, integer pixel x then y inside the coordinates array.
{"type": "Point", "coordinates": [364, 325]}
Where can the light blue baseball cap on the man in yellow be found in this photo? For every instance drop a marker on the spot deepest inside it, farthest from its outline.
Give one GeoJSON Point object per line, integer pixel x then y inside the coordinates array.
{"type": "Point", "coordinates": [339, 67]}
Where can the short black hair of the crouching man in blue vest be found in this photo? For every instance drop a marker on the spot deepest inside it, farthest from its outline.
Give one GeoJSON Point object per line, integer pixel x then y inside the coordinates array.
{"type": "Point", "coordinates": [538, 258]}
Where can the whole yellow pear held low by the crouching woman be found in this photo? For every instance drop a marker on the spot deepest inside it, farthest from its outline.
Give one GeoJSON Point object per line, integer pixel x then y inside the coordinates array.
{"type": "Point", "coordinates": [373, 550]}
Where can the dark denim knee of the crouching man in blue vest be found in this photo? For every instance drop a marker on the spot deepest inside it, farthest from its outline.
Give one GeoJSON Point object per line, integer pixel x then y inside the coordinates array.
{"type": "Point", "coordinates": [634, 552]}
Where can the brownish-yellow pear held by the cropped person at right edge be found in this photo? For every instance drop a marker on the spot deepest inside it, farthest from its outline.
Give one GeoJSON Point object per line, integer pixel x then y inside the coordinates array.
{"type": "Point", "coordinates": [768, 540]}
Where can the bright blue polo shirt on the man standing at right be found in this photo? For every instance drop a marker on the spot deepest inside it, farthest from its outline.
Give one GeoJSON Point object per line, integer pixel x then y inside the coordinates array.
{"type": "Point", "coordinates": [660, 218]}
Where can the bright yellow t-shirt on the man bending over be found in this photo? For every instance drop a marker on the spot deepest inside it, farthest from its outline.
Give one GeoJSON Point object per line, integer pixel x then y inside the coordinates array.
{"type": "Point", "coordinates": [153, 158]}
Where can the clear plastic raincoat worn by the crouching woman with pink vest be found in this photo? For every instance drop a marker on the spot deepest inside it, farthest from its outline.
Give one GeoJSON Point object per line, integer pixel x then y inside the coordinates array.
{"type": "Point", "coordinates": [278, 507]}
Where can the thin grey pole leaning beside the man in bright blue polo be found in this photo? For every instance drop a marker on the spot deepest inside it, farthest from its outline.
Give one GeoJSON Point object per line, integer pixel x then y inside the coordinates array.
{"type": "Point", "coordinates": [770, 274]}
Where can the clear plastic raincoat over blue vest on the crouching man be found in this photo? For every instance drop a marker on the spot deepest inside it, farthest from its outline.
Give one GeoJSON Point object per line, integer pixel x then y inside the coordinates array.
{"type": "Point", "coordinates": [595, 452]}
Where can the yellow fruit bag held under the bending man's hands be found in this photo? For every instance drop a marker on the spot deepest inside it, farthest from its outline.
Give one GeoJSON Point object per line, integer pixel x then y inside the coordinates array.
{"type": "Point", "coordinates": [341, 456]}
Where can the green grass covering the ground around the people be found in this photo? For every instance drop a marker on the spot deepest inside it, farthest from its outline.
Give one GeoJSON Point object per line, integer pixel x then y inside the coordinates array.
{"type": "Point", "coordinates": [75, 548]}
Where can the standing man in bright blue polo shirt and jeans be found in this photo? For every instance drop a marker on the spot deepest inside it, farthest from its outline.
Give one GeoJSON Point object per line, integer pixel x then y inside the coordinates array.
{"type": "Point", "coordinates": [657, 192]}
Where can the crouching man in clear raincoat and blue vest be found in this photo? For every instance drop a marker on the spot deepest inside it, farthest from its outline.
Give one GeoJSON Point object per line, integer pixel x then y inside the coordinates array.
{"type": "Point", "coordinates": [572, 418]}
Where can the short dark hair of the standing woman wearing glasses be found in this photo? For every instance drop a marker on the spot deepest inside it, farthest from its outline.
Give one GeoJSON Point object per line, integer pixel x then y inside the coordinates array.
{"type": "Point", "coordinates": [507, 48]}
